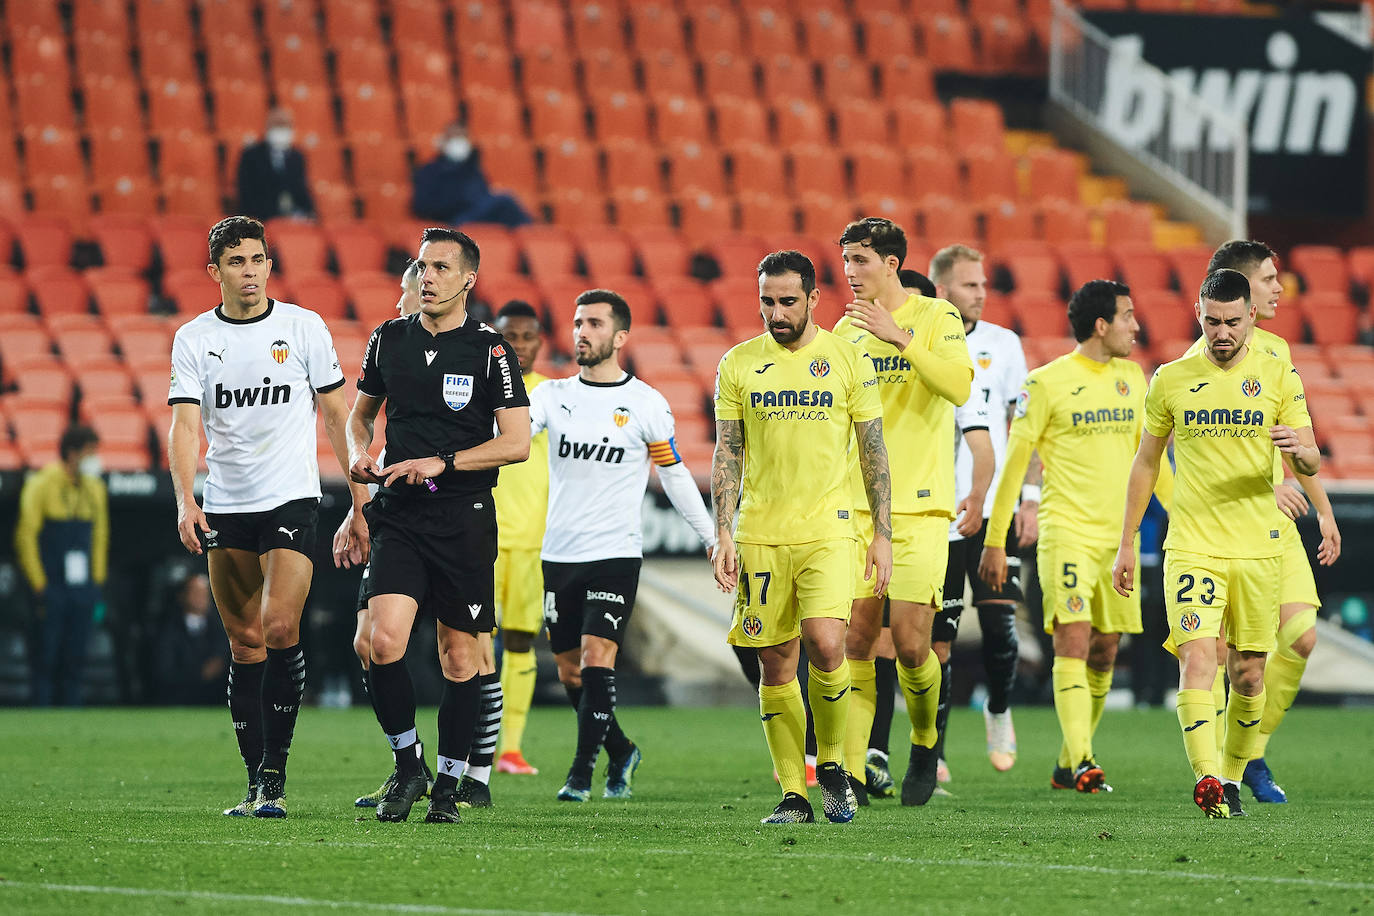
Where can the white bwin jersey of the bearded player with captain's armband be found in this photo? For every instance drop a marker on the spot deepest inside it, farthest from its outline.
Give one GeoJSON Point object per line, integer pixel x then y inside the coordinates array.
{"type": "Point", "coordinates": [602, 437]}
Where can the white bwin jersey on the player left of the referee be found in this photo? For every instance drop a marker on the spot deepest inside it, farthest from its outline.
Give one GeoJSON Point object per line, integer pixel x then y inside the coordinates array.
{"type": "Point", "coordinates": [256, 384]}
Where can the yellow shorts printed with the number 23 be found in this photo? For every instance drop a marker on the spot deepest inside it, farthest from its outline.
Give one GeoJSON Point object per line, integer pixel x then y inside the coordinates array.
{"type": "Point", "coordinates": [1202, 593]}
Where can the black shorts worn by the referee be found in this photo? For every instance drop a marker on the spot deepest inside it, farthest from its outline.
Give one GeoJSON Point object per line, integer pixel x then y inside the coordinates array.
{"type": "Point", "coordinates": [439, 553]}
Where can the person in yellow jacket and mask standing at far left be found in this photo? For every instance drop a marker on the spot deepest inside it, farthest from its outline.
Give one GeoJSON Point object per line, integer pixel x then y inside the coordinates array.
{"type": "Point", "coordinates": [63, 543]}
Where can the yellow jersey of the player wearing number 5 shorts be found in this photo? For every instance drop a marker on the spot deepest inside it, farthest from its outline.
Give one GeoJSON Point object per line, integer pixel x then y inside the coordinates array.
{"type": "Point", "coordinates": [1085, 418]}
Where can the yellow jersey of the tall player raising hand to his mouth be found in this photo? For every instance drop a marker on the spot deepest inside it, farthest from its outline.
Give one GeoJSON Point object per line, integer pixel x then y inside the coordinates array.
{"type": "Point", "coordinates": [917, 422]}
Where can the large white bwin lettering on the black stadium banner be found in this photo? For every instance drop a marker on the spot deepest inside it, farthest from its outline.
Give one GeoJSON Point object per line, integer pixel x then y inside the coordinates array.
{"type": "Point", "coordinates": [1288, 112]}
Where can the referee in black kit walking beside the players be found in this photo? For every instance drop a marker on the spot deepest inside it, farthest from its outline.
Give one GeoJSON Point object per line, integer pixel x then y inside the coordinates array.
{"type": "Point", "coordinates": [447, 380]}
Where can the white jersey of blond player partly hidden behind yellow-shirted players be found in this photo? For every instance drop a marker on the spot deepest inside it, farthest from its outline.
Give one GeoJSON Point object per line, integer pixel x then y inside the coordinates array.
{"type": "Point", "coordinates": [1000, 370]}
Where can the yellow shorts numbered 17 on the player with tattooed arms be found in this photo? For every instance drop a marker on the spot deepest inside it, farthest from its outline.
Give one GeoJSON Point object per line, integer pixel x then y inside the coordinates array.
{"type": "Point", "coordinates": [780, 587]}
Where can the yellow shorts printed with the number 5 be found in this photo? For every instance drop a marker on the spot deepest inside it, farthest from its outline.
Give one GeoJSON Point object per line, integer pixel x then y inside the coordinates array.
{"type": "Point", "coordinates": [1077, 584]}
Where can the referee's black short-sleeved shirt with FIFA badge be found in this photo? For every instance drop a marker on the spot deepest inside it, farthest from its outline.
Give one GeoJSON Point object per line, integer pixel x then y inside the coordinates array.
{"type": "Point", "coordinates": [442, 396]}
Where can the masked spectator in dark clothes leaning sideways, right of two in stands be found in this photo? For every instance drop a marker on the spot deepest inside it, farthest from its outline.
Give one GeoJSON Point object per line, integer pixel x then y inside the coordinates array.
{"type": "Point", "coordinates": [453, 189]}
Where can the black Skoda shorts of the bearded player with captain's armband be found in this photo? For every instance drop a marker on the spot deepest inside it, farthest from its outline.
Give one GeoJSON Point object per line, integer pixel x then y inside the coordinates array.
{"type": "Point", "coordinates": [593, 599]}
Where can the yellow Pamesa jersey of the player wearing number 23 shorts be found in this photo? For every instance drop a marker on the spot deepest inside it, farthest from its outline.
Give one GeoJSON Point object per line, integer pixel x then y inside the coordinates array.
{"type": "Point", "coordinates": [1224, 499]}
